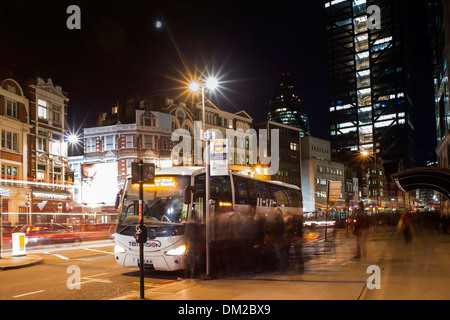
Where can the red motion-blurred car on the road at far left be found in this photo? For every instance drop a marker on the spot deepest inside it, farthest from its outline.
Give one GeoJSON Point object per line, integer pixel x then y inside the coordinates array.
{"type": "Point", "coordinates": [42, 233]}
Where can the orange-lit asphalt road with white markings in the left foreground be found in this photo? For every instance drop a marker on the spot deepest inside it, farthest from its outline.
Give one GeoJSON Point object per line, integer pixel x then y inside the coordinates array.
{"type": "Point", "coordinates": [88, 271]}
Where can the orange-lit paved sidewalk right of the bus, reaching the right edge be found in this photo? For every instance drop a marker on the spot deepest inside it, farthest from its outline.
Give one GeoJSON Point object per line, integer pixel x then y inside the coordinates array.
{"type": "Point", "coordinates": [416, 270]}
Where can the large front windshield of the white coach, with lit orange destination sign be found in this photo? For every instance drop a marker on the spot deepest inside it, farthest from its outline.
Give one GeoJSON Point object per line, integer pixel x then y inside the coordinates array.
{"type": "Point", "coordinates": [163, 201]}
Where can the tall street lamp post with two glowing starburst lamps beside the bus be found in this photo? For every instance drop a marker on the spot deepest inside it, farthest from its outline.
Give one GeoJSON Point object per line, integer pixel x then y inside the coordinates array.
{"type": "Point", "coordinates": [211, 83]}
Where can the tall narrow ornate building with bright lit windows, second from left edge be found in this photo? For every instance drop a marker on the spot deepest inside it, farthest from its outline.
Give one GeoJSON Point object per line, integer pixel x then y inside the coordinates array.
{"type": "Point", "coordinates": [47, 148]}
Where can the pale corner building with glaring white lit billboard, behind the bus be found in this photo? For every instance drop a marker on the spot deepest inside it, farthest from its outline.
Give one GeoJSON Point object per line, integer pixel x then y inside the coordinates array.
{"type": "Point", "coordinates": [109, 151]}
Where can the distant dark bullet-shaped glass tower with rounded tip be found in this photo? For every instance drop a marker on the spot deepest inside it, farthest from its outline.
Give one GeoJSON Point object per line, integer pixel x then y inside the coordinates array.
{"type": "Point", "coordinates": [286, 106]}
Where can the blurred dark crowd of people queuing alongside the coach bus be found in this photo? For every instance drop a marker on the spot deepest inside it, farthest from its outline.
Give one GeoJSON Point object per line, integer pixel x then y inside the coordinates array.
{"type": "Point", "coordinates": [242, 243]}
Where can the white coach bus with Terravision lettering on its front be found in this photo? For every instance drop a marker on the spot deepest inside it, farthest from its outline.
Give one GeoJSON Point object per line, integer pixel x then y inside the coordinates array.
{"type": "Point", "coordinates": [169, 217]}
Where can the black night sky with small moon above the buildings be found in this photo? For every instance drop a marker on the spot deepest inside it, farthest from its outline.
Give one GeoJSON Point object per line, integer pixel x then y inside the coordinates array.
{"type": "Point", "coordinates": [119, 53]}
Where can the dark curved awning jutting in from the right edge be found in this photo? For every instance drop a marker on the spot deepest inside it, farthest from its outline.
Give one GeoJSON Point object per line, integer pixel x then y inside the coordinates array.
{"type": "Point", "coordinates": [433, 178]}
